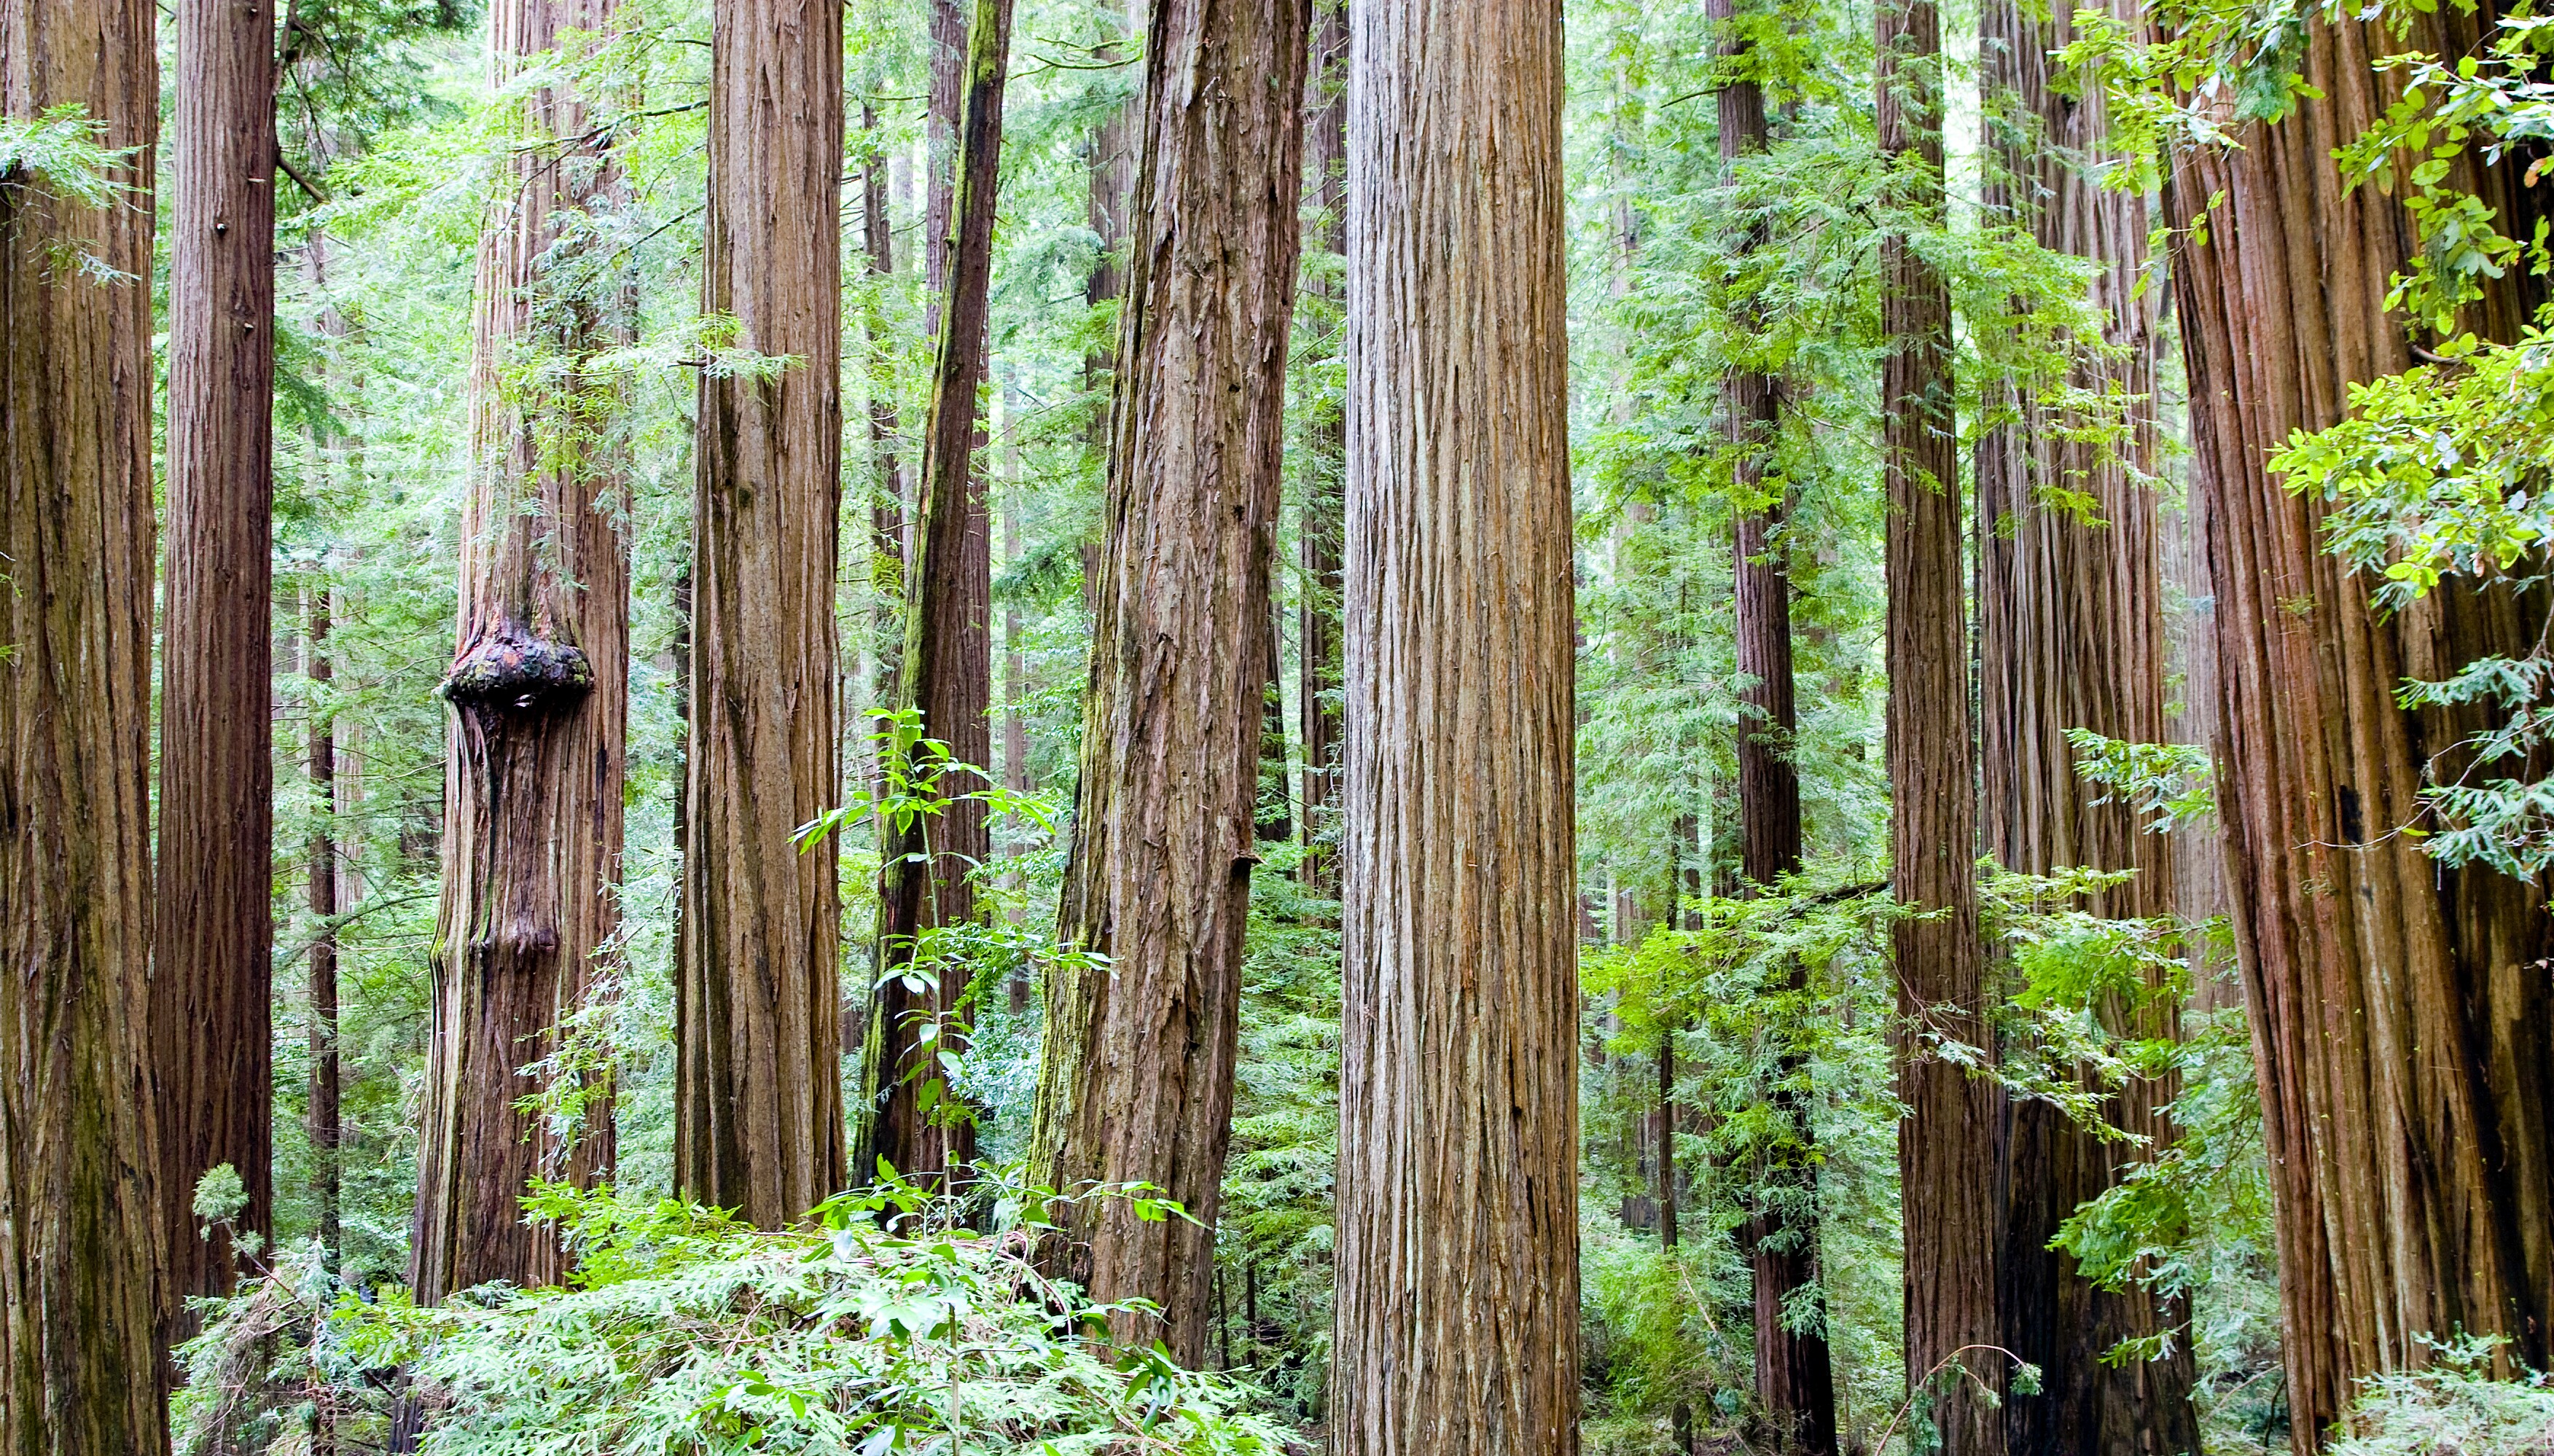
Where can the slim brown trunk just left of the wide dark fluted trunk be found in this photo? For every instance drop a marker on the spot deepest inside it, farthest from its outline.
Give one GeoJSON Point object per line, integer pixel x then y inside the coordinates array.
{"type": "Point", "coordinates": [1947, 1143]}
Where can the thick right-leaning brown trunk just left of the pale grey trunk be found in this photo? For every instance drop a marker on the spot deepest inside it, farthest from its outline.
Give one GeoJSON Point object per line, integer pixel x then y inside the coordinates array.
{"type": "Point", "coordinates": [1138, 1077]}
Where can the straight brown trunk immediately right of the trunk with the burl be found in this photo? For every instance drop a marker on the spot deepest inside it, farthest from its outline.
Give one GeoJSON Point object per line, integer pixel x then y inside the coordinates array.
{"type": "Point", "coordinates": [760, 1084]}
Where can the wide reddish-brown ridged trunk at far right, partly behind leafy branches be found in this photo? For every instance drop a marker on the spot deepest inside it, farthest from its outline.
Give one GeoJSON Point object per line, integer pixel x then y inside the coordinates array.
{"type": "Point", "coordinates": [2402, 1018]}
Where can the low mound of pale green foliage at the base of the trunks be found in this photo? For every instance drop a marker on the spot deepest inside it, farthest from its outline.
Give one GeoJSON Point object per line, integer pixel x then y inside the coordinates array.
{"type": "Point", "coordinates": [693, 1335]}
